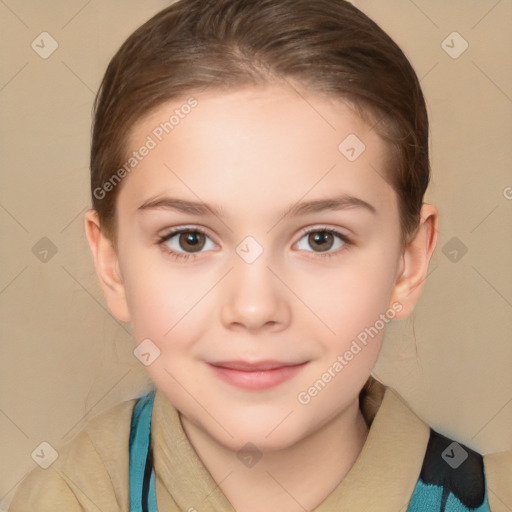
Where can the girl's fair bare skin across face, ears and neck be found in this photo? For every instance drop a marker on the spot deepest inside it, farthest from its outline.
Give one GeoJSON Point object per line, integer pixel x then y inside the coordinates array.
{"type": "Point", "coordinates": [256, 152]}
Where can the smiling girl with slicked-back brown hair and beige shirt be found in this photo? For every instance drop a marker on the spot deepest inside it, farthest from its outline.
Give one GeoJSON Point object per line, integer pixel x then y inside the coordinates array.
{"type": "Point", "coordinates": [258, 170]}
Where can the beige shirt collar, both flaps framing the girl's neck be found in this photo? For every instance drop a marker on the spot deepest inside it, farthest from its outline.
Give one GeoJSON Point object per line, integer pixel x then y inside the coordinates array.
{"type": "Point", "coordinates": [389, 463]}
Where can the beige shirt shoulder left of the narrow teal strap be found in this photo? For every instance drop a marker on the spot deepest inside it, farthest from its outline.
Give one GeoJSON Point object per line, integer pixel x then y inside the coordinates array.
{"type": "Point", "coordinates": [90, 472]}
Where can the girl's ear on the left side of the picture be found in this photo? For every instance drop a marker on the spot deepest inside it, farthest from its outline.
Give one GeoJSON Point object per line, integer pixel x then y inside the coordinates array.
{"type": "Point", "coordinates": [107, 266]}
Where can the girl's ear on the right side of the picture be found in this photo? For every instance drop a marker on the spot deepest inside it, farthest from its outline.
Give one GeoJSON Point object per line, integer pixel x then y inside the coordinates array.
{"type": "Point", "coordinates": [414, 264]}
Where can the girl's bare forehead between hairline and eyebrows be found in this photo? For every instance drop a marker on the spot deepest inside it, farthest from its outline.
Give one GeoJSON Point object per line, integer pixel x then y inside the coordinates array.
{"type": "Point", "coordinates": [267, 144]}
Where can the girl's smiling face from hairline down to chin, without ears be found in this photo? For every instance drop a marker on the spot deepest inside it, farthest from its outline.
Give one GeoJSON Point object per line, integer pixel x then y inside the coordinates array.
{"type": "Point", "coordinates": [259, 259]}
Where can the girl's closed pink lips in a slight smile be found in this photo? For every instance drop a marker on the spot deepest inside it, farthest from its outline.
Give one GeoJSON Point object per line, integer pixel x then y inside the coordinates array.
{"type": "Point", "coordinates": [255, 376]}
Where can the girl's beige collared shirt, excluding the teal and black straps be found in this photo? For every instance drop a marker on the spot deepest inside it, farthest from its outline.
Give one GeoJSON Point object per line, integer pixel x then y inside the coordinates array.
{"type": "Point", "coordinates": [91, 472]}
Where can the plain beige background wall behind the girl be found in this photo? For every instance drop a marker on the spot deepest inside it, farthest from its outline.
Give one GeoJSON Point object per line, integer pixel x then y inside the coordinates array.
{"type": "Point", "coordinates": [65, 359]}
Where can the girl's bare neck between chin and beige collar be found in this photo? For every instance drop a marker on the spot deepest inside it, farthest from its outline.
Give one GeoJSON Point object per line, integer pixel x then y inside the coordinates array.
{"type": "Point", "coordinates": [293, 479]}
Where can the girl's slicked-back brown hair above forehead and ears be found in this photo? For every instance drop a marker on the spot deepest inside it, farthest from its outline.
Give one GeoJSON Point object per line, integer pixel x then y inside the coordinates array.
{"type": "Point", "coordinates": [327, 46]}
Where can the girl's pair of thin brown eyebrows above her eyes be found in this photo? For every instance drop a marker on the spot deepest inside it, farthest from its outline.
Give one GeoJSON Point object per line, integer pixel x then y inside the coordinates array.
{"type": "Point", "coordinates": [343, 202]}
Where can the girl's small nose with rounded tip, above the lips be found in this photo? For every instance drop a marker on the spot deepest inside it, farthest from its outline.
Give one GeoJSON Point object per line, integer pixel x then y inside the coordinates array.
{"type": "Point", "coordinates": [254, 297]}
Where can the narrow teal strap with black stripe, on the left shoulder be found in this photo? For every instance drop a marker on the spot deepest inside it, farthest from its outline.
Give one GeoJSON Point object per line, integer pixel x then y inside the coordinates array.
{"type": "Point", "coordinates": [141, 472]}
